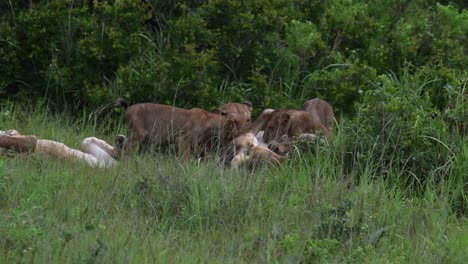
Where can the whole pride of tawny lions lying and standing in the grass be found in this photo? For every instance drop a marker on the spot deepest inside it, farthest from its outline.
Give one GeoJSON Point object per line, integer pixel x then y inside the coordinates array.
{"type": "Point", "coordinates": [195, 132]}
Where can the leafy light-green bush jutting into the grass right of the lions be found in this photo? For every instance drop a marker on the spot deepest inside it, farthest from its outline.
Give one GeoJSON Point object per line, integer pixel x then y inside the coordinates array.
{"type": "Point", "coordinates": [398, 127]}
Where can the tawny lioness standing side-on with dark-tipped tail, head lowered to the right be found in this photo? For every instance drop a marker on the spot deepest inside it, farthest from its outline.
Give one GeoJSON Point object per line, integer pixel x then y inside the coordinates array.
{"type": "Point", "coordinates": [160, 125]}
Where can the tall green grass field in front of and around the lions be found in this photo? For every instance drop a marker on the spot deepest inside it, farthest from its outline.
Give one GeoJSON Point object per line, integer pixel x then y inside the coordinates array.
{"type": "Point", "coordinates": [156, 208]}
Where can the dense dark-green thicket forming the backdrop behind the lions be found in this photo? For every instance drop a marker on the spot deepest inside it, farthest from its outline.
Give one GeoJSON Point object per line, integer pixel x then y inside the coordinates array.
{"type": "Point", "coordinates": [197, 53]}
